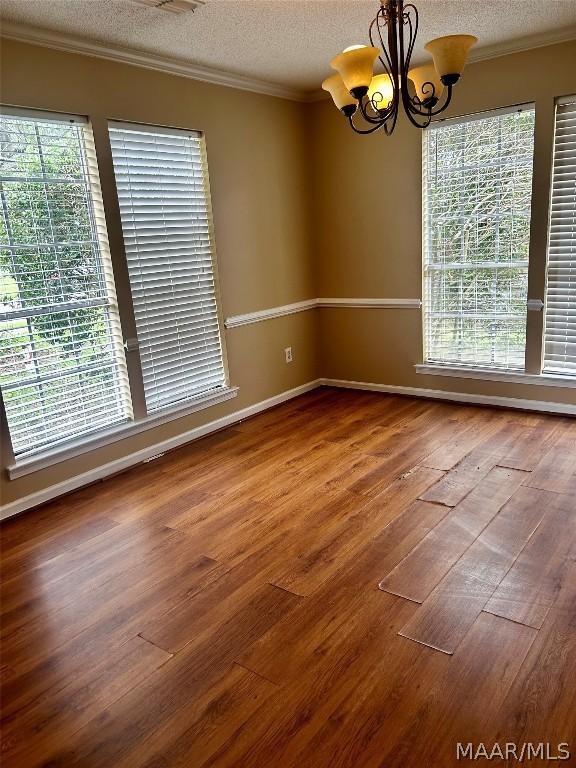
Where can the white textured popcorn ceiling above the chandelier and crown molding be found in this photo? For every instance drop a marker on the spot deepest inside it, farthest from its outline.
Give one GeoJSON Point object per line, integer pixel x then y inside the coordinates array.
{"type": "Point", "coordinates": [288, 42]}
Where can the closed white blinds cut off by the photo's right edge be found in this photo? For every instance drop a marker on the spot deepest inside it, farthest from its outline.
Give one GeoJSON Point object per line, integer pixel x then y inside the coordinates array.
{"type": "Point", "coordinates": [560, 336]}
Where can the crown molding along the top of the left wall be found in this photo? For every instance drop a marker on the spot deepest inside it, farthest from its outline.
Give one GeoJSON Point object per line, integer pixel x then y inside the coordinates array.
{"type": "Point", "coordinates": [62, 42]}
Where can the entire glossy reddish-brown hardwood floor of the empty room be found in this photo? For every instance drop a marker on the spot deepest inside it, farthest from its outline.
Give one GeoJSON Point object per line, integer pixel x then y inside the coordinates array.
{"type": "Point", "coordinates": [274, 595]}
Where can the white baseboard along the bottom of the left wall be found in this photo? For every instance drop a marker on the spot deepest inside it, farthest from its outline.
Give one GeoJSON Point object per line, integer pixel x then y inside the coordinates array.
{"type": "Point", "coordinates": [113, 467]}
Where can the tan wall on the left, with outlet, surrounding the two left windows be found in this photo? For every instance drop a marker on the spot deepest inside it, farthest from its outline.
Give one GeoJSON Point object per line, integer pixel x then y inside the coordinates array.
{"type": "Point", "coordinates": [258, 163]}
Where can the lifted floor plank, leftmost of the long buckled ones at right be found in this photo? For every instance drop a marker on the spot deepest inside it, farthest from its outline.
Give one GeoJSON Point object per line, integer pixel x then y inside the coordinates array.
{"type": "Point", "coordinates": [417, 575]}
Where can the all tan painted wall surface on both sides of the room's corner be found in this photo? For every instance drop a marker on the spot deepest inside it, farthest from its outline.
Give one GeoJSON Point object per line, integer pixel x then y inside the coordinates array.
{"type": "Point", "coordinates": [302, 208]}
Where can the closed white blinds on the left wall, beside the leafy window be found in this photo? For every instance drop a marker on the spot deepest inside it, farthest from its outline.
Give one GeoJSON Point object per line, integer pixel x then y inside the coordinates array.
{"type": "Point", "coordinates": [162, 181]}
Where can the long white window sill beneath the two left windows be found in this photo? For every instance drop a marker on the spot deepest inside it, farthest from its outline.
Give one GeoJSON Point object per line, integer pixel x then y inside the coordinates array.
{"type": "Point", "coordinates": [47, 459]}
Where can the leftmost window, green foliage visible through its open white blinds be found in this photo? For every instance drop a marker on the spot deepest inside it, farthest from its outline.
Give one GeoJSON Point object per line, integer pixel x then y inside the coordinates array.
{"type": "Point", "coordinates": [62, 369]}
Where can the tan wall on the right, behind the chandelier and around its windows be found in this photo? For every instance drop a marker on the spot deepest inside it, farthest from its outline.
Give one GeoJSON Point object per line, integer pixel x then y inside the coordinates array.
{"type": "Point", "coordinates": [367, 212]}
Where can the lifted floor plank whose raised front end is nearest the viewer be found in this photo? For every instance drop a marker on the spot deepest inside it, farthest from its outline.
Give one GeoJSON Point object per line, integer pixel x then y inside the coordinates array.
{"type": "Point", "coordinates": [448, 613]}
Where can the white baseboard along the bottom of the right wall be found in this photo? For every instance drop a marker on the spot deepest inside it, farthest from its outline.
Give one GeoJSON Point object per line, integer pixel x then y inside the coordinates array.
{"type": "Point", "coordinates": [542, 406]}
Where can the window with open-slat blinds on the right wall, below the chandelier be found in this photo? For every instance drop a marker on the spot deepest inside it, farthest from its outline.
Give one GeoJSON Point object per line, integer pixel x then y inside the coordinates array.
{"type": "Point", "coordinates": [477, 186]}
